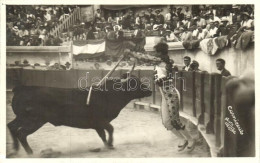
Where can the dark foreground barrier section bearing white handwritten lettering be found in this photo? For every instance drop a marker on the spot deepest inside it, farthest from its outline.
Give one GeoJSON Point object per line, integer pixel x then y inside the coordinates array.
{"type": "Point", "coordinates": [239, 131]}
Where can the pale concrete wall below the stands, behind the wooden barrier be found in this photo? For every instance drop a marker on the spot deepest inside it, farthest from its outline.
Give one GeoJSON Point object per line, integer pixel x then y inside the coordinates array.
{"type": "Point", "coordinates": [237, 61]}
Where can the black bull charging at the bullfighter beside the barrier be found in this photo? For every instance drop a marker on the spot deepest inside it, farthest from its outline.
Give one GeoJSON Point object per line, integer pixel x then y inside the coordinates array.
{"type": "Point", "coordinates": [34, 106]}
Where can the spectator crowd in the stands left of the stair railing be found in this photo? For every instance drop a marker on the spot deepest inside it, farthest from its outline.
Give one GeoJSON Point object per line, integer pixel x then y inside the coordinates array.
{"type": "Point", "coordinates": [29, 25]}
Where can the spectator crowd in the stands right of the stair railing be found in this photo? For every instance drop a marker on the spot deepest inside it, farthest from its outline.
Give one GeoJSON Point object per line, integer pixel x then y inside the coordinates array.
{"type": "Point", "coordinates": [177, 25]}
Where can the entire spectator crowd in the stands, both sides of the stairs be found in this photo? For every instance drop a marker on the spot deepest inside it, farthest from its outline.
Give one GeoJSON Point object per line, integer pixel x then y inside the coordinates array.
{"type": "Point", "coordinates": [30, 25]}
